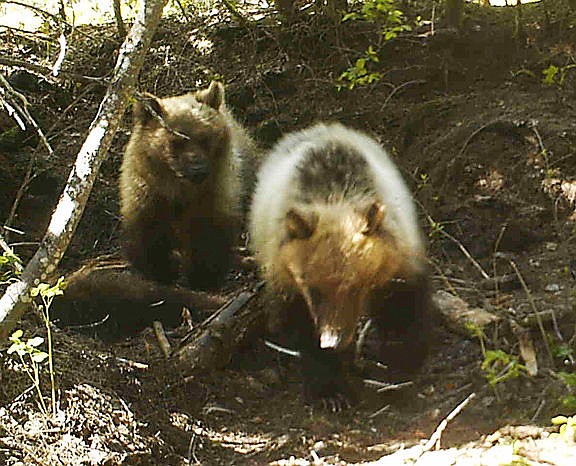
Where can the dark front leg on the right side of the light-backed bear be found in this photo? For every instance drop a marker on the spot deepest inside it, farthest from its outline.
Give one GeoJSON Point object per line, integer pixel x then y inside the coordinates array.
{"type": "Point", "coordinates": [401, 320]}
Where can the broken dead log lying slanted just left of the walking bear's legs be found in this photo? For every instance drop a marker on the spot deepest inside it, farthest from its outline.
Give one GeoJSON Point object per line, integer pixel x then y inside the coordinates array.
{"type": "Point", "coordinates": [212, 344]}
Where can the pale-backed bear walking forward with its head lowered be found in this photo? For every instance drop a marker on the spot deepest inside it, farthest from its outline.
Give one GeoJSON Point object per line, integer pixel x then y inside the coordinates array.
{"type": "Point", "coordinates": [335, 232]}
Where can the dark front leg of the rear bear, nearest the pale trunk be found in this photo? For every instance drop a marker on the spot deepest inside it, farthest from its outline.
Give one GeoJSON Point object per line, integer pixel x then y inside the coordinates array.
{"type": "Point", "coordinates": [149, 243]}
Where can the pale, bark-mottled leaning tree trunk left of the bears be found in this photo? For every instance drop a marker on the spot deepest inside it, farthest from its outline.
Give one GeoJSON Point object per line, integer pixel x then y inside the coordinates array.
{"type": "Point", "coordinates": [69, 209]}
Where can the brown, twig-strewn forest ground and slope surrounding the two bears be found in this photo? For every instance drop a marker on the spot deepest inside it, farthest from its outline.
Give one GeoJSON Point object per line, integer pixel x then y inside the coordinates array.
{"type": "Point", "coordinates": [489, 151]}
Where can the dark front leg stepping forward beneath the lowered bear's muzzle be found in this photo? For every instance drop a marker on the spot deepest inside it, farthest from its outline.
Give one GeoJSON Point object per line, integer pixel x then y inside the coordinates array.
{"type": "Point", "coordinates": [325, 378]}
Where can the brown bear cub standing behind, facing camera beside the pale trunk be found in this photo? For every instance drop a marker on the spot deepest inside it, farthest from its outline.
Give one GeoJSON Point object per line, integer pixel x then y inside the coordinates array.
{"type": "Point", "coordinates": [181, 189]}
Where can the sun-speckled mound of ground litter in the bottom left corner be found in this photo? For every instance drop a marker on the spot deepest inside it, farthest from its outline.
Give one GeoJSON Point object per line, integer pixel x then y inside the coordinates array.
{"type": "Point", "coordinates": [90, 427]}
